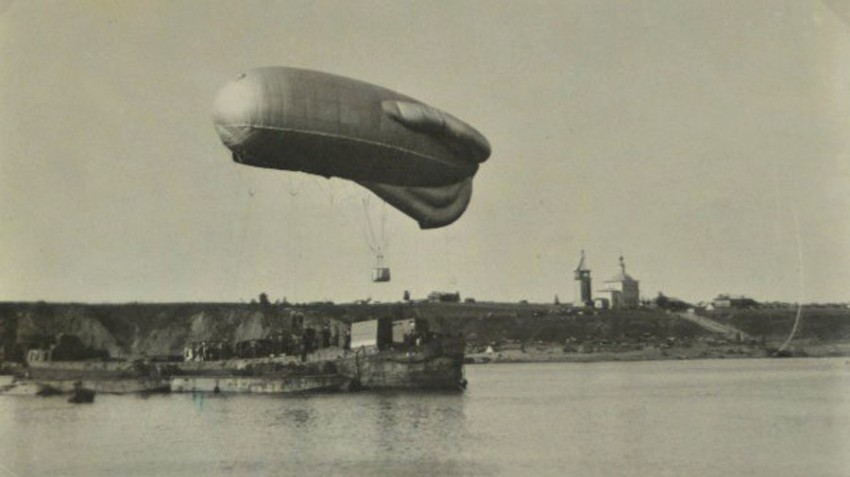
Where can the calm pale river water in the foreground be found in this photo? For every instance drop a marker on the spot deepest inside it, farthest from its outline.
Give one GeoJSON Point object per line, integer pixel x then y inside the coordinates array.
{"type": "Point", "coordinates": [787, 417]}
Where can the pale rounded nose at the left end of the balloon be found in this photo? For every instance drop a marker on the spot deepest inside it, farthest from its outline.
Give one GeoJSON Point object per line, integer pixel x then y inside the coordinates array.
{"type": "Point", "coordinates": [234, 108]}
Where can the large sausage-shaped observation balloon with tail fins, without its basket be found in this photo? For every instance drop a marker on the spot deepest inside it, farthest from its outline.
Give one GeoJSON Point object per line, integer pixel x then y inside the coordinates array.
{"type": "Point", "coordinates": [417, 158]}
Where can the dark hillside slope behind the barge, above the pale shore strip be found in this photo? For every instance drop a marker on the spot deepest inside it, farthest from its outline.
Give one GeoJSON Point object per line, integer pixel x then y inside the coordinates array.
{"type": "Point", "coordinates": [129, 330]}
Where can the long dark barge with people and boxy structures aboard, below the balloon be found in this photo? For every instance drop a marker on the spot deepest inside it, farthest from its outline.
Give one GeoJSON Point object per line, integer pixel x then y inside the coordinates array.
{"type": "Point", "coordinates": [376, 354]}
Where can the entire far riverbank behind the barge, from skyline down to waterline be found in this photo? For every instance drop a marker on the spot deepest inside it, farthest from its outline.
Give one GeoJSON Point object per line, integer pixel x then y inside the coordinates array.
{"type": "Point", "coordinates": [514, 332]}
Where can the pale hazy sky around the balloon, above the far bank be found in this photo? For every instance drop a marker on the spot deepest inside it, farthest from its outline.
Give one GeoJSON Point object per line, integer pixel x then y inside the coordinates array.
{"type": "Point", "coordinates": [707, 142]}
